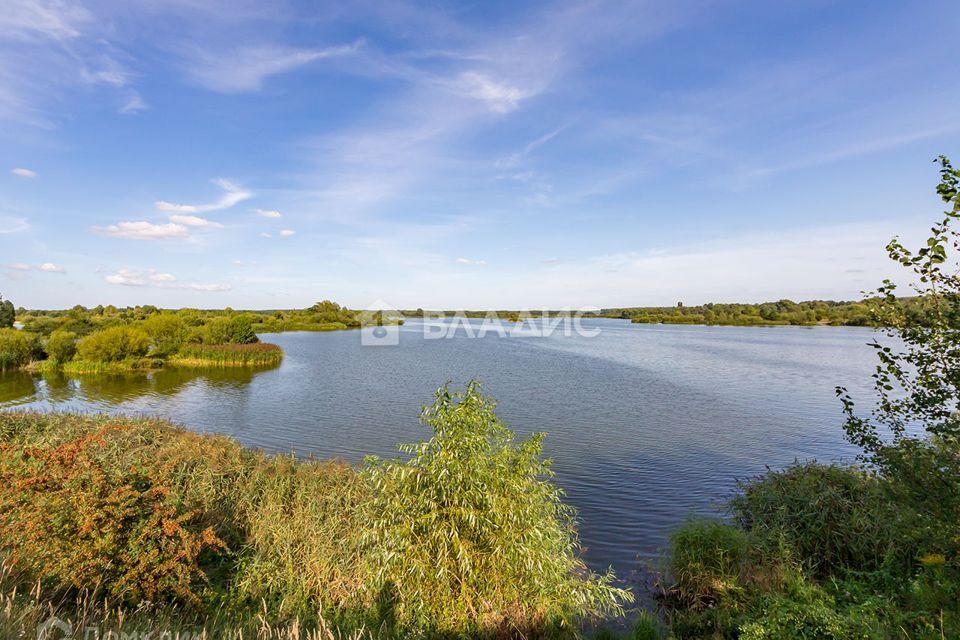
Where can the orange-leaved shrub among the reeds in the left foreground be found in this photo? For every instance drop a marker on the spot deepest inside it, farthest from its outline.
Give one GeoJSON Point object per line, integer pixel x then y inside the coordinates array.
{"type": "Point", "coordinates": [77, 522]}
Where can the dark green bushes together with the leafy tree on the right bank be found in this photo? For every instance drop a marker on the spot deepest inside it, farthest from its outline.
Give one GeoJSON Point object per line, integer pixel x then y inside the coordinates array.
{"type": "Point", "coordinates": [872, 551]}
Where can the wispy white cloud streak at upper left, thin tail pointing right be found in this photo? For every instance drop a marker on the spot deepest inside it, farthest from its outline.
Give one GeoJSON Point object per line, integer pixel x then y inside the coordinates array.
{"type": "Point", "coordinates": [246, 68]}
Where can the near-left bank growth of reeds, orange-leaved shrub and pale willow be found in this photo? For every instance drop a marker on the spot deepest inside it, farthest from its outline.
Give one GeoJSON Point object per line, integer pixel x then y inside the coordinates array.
{"type": "Point", "coordinates": [465, 536]}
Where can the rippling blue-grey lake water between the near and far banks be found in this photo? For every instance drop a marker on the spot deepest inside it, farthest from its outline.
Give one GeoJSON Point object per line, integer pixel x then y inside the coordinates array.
{"type": "Point", "coordinates": [647, 424]}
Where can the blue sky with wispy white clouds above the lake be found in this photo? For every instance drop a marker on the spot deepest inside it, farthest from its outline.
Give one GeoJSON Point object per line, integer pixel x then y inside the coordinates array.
{"type": "Point", "coordinates": [466, 154]}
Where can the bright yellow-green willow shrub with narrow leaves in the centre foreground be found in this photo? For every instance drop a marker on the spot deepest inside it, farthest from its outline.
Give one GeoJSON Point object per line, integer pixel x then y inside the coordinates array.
{"type": "Point", "coordinates": [469, 534]}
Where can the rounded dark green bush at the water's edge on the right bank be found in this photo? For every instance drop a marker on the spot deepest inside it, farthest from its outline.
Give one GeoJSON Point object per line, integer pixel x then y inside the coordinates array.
{"type": "Point", "coordinates": [831, 518]}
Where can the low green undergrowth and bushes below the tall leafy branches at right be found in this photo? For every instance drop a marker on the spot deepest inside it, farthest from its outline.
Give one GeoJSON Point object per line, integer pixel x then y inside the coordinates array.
{"type": "Point", "coordinates": [815, 551]}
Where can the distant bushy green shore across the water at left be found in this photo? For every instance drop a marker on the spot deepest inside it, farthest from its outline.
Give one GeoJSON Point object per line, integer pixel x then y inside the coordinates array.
{"type": "Point", "coordinates": [108, 339]}
